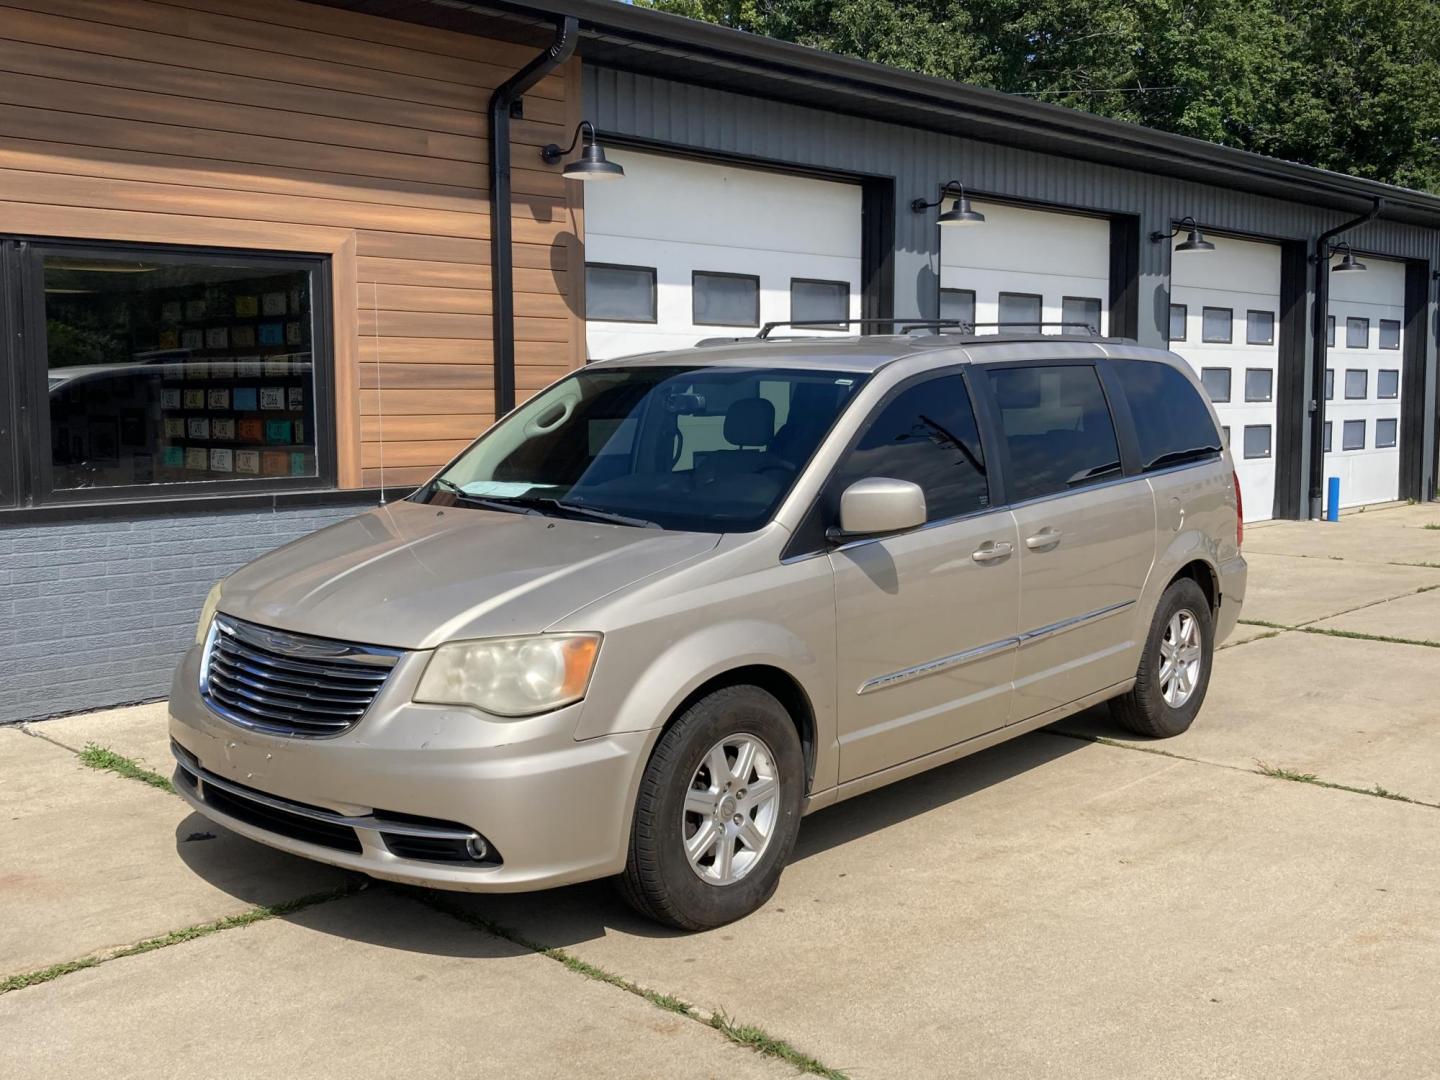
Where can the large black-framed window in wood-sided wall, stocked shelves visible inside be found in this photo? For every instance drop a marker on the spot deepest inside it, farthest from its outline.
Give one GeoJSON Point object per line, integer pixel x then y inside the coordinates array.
{"type": "Point", "coordinates": [171, 369]}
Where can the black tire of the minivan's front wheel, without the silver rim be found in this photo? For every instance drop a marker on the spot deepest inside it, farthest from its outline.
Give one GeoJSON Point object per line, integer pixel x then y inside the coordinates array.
{"type": "Point", "coordinates": [734, 711]}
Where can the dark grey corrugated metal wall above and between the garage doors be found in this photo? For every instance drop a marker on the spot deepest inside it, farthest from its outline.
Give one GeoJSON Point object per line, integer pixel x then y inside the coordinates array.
{"type": "Point", "coordinates": [627, 104]}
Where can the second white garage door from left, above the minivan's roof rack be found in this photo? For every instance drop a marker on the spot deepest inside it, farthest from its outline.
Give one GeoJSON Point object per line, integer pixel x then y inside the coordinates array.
{"type": "Point", "coordinates": [1023, 267]}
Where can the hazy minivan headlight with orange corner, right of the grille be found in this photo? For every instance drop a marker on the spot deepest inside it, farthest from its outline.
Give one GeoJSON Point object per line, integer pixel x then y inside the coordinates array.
{"type": "Point", "coordinates": [512, 676]}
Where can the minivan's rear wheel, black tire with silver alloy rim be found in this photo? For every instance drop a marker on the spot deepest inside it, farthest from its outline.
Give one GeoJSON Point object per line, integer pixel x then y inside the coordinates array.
{"type": "Point", "coordinates": [1158, 706]}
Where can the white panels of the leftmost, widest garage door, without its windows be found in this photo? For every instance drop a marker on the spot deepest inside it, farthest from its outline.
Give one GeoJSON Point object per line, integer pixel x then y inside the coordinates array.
{"type": "Point", "coordinates": [680, 217]}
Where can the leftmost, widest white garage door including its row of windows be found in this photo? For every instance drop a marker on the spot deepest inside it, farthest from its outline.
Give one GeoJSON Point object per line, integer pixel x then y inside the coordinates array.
{"type": "Point", "coordinates": [682, 251]}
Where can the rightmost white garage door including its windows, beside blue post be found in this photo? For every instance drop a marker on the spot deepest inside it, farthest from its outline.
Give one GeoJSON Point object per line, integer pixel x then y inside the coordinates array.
{"type": "Point", "coordinates": [1363, 382]}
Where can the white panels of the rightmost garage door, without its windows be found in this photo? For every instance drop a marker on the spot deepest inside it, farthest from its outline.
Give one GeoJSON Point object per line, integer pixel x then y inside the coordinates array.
{"type": "Point", "coordinates": [1370, 474]}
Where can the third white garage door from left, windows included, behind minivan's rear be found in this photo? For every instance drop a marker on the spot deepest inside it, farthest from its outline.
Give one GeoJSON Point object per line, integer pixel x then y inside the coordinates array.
{"type": "Point", "coordinates": [1225, 319]}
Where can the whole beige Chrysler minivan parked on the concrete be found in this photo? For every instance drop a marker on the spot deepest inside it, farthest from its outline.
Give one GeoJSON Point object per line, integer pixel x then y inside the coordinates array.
{"type": "Point", "coordinates": [679, 601]}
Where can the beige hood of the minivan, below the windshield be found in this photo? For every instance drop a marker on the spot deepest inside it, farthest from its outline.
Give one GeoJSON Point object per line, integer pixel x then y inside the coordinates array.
{"type": "Point", "coordinates": [414, 575]}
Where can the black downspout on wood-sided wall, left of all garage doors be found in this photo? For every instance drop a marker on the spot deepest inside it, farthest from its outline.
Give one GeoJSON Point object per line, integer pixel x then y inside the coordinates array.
{"type": "Point", "coordinates": [502, 261]}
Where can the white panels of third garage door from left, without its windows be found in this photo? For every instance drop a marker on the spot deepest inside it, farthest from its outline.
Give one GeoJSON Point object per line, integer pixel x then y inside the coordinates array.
{"type": "Point", "coordinates": [1241, 277]}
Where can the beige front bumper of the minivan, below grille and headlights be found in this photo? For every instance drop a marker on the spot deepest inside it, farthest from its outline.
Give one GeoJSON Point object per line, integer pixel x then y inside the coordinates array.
{"type": "Point", "coordinates": [418, 780]}
